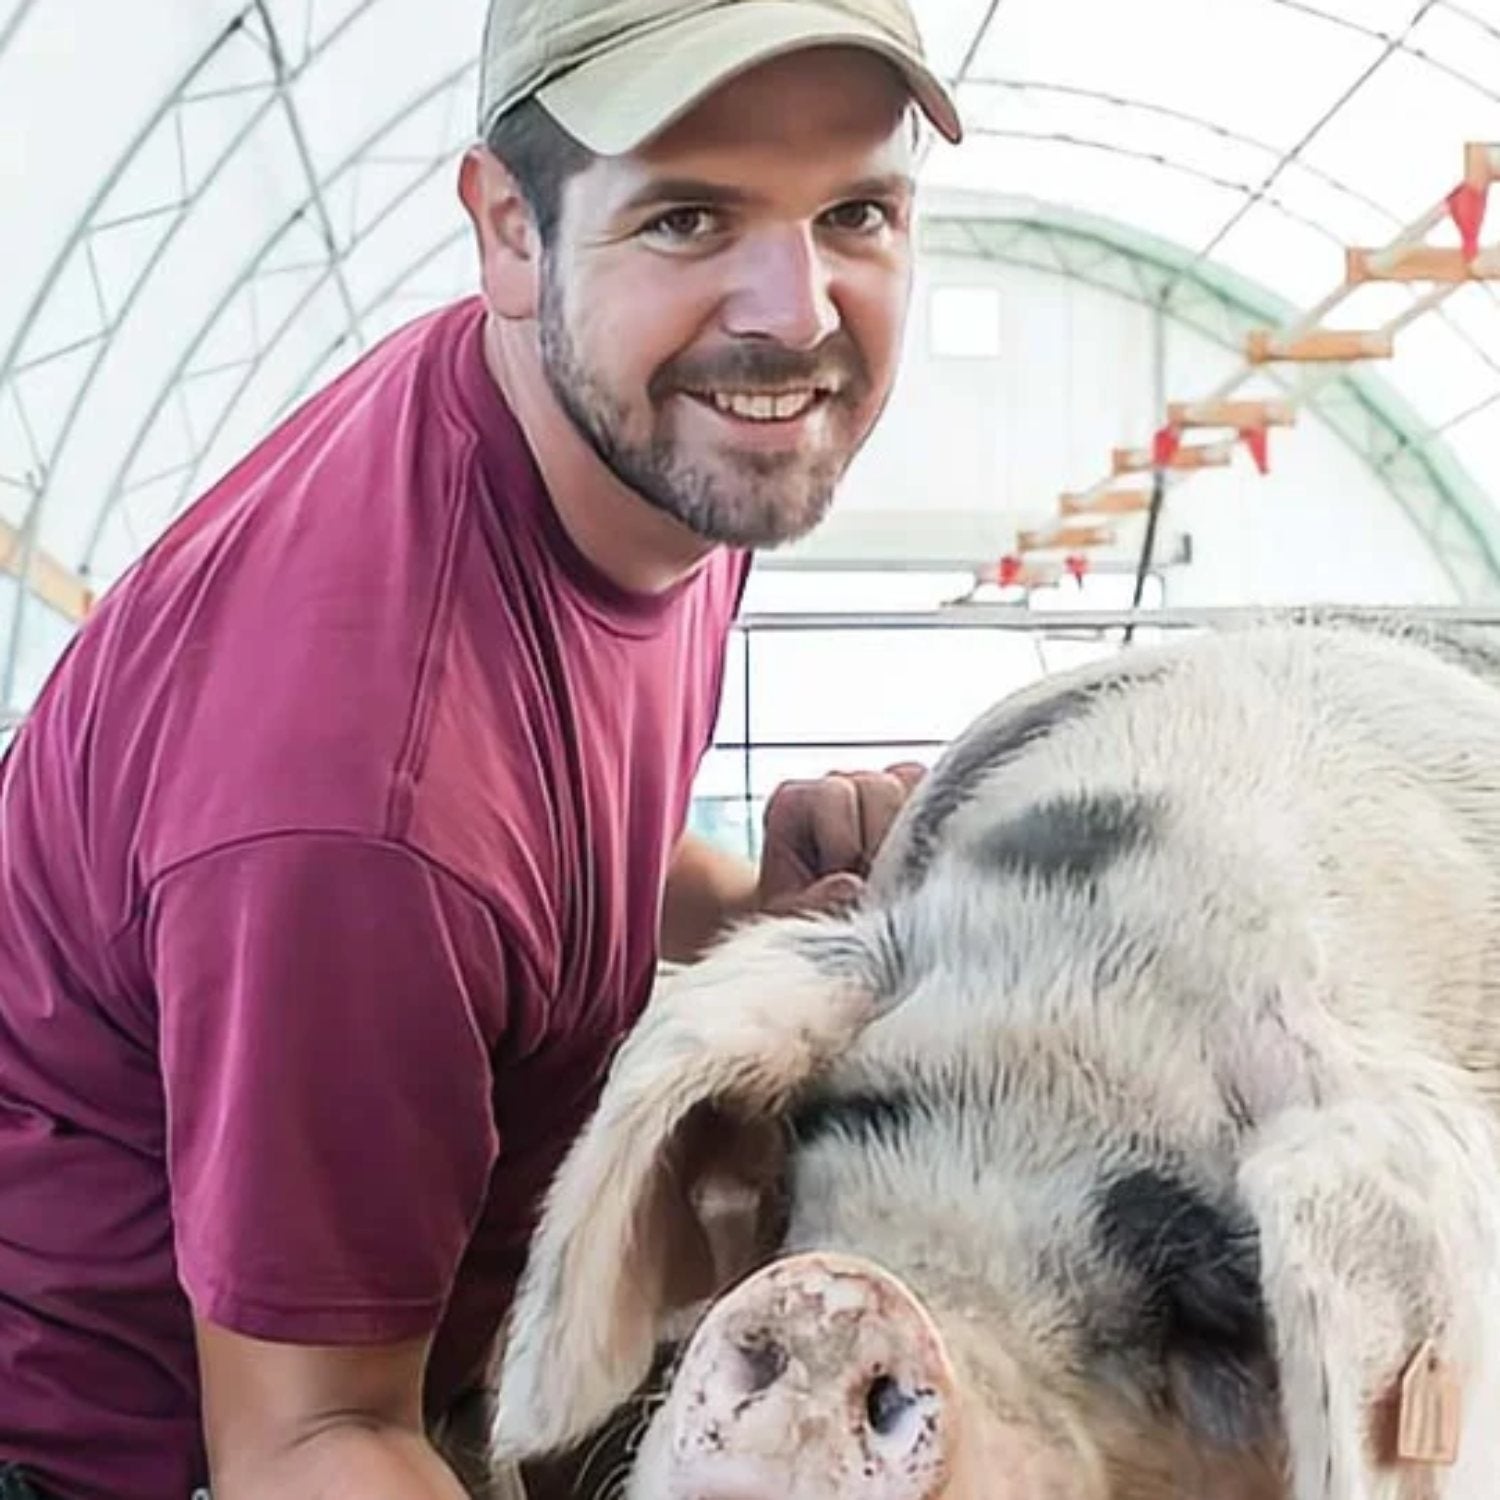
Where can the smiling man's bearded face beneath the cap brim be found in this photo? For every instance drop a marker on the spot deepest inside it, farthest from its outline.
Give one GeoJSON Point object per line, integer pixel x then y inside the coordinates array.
{"type": "Point", "coordinates": [722, 313]}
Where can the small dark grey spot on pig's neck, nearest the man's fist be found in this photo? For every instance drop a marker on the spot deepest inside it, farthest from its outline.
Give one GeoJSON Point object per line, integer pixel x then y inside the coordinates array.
{"type": "Point", "coordinates": [1072, 839]}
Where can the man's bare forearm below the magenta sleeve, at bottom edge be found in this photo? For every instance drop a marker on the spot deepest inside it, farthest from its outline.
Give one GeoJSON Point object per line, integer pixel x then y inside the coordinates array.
{"type": "Point", "coordinates": [298, 1423]}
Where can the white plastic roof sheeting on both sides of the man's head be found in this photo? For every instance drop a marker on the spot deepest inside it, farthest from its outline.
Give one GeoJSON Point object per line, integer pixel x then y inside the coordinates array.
{"type": "Point", "coordinates": [208, 208]}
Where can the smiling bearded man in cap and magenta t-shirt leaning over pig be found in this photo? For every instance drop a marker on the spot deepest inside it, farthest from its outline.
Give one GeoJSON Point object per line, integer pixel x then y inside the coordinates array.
{"type": "Point", "coordinates": [334, 857]}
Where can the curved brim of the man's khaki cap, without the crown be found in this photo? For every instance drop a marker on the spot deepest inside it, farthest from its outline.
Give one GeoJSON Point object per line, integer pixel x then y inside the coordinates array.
{"type": "Point", "coordinates": [616, 103]}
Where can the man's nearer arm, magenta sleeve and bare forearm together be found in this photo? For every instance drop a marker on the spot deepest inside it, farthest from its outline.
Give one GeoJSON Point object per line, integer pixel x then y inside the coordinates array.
{"type": "Point", "coordinates": [328, 1009]}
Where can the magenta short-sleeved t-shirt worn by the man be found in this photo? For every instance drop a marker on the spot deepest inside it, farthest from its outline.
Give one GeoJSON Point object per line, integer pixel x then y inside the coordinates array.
{"type": "Point", "coordinates": [331, 874]}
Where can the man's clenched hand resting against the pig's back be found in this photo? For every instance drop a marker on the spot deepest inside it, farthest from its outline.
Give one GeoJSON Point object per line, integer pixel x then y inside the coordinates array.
{"type": "Point", "coordinates": [821, 838]}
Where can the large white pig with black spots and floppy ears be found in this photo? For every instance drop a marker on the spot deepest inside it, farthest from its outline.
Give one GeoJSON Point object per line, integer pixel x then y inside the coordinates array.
{"type": "Point", "coordinates": [1133, 1138]}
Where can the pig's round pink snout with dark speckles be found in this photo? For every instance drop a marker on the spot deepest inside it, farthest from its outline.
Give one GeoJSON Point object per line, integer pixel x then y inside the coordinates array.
{"type": "Point", "coordinates": [818, 1376]}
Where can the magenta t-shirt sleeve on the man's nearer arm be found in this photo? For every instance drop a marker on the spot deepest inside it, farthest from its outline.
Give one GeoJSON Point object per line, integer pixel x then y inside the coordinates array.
{"type": "Point", "coordinates": [328, 1010]}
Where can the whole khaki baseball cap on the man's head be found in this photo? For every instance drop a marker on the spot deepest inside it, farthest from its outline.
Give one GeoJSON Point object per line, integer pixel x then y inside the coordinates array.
{"type": "Point", "coordinates": [616, 73]}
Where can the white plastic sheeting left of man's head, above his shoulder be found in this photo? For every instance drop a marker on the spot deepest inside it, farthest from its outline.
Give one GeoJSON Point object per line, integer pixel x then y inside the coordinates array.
{"type": "Point", "coordinates": [208, 208]}
